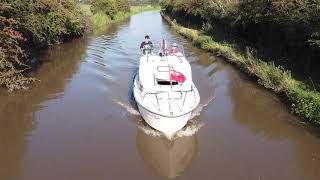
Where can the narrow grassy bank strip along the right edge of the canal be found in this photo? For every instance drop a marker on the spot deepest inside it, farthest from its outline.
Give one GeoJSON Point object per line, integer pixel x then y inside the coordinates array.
{"type": "Point", "coordinates": [303, 102]}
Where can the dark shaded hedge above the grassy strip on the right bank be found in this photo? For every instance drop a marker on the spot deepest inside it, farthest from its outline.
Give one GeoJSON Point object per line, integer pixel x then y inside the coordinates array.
{"type": "Point", "coordinates": [292, 27]}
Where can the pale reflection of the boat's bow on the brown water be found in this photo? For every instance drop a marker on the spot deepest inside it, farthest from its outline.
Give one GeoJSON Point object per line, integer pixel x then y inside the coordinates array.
{"type": "Point", "coordinates": [167, 158]}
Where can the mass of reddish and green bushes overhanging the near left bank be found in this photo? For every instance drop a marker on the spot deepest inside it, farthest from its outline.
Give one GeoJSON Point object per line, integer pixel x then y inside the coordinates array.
{"type": "Point", "coordinates": [32, 23]}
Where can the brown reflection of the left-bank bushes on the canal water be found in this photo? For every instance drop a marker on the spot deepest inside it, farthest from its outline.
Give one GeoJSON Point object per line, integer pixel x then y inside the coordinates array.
{"type": "Point", "coordinates": [17, 109]}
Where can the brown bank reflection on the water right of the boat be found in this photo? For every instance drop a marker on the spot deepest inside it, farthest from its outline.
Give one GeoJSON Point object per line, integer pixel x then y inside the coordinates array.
{"type": "Point", "coordinates": [274, 128]}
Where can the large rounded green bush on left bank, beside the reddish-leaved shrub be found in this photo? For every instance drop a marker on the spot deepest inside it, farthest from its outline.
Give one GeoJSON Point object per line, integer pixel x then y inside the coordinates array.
{"type": "Point", "coordinates": [46, 22]}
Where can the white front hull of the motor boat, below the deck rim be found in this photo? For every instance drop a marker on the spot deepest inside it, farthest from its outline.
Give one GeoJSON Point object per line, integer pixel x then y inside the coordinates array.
{"type": "Point", "coordinates": [167, 125]}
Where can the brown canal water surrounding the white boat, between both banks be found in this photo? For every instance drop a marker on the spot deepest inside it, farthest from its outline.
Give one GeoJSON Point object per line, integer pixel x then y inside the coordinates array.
{"type": "Point", "coordinates": [80, 122]}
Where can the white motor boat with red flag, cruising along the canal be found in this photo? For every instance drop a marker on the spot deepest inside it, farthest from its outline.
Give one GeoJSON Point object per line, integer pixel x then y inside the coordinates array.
{"type": "Point", "coordinates": [164, 91]}
